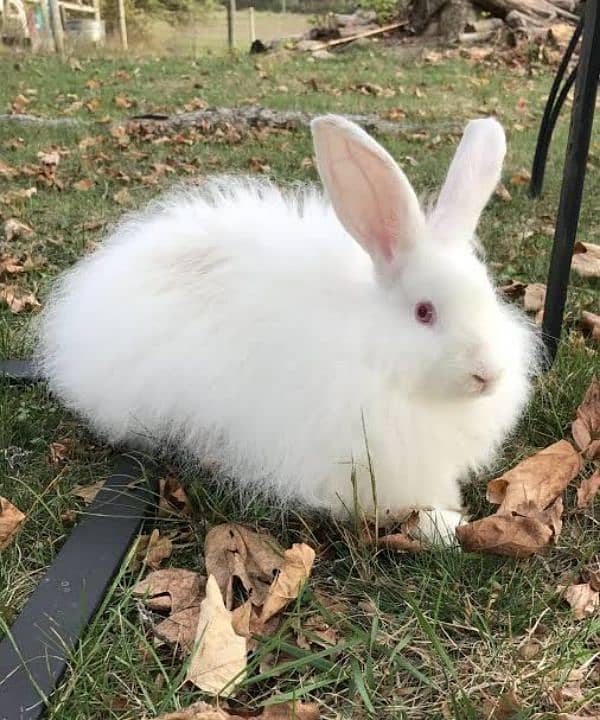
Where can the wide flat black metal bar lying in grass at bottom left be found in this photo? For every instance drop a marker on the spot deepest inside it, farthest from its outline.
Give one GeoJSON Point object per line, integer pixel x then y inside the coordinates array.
{"type": "Point", "coordinates": [34, 655]}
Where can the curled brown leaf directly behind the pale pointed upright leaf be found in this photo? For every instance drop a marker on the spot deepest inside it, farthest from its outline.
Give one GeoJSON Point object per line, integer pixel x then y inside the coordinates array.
{"type": "Point", "coordinates": [232, 550]}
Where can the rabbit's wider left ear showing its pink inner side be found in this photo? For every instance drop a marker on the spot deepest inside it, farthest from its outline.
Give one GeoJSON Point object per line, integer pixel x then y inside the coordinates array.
{"type": "Point", "coordinates": [369, 193]}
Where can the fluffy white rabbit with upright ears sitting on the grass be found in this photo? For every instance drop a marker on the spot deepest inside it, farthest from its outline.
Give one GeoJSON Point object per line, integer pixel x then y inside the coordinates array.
{"type": "Point", "coordinates": [259, 330]}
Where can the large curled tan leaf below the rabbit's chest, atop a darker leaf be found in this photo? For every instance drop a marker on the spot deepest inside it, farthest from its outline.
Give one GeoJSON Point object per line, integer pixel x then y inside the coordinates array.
{"type": "Point", "coordinates": [536, 481]}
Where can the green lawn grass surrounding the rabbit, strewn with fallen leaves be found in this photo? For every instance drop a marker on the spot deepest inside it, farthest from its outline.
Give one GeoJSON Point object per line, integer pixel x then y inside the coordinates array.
{"type": "Point", "coordinates": [438, 635]}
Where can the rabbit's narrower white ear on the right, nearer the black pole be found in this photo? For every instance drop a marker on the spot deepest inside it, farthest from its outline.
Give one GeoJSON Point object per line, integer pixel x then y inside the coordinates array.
{"type": "Point", "coordinates": [472, 178]}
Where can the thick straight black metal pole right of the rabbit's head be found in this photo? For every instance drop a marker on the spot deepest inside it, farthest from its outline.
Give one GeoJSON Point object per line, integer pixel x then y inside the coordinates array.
{"type": "Point", "coordinates": [582, 118]}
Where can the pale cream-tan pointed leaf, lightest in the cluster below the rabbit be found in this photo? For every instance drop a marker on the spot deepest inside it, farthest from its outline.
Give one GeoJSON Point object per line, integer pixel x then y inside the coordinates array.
{"type": "Point", "coordinates": [219, 661]}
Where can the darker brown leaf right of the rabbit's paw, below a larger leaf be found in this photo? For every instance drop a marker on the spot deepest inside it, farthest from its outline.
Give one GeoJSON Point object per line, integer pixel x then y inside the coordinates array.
{"type": "Point", "coordinates": [516, 536]}
